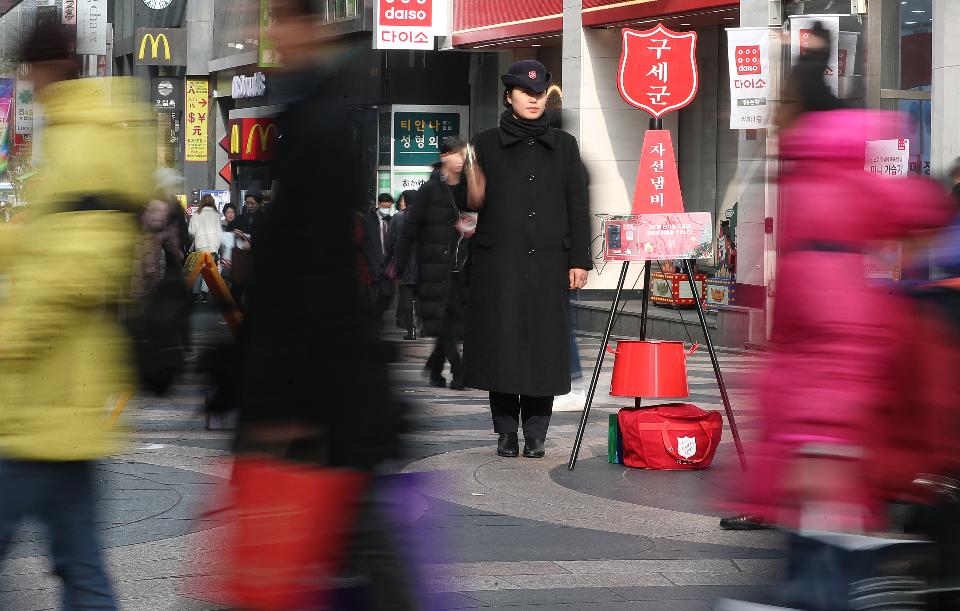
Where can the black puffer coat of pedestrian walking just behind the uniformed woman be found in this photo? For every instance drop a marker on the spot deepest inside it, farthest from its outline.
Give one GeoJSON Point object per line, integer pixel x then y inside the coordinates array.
{"type": "Point", "coordinates": [431, 228]}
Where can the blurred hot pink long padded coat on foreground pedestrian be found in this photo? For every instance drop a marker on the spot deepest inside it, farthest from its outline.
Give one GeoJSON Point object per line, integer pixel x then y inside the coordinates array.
{"type": "Point", "coordinates": [837, 339]}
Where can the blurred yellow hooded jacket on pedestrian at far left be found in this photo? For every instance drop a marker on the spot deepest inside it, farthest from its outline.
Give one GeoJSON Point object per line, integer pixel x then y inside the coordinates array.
{"type": "Point", "coordinates": [64, 355]}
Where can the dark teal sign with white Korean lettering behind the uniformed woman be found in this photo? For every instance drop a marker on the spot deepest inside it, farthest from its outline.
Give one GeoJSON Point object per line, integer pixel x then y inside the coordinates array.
{"type": "Point", "coordinates": [417, 136]}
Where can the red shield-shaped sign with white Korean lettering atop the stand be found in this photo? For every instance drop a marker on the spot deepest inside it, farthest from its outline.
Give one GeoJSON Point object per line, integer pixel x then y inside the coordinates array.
{"type": "Point", "coordinates": [658, 69]}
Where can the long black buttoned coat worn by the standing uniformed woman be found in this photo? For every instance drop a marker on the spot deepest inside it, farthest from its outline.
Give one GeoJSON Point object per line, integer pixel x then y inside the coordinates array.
{"type": "Point", "coordinates": [533, 228]}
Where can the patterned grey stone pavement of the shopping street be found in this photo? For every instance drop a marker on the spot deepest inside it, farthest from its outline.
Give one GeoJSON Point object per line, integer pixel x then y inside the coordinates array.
{"type": "Point", "coordinates": [498, 533]}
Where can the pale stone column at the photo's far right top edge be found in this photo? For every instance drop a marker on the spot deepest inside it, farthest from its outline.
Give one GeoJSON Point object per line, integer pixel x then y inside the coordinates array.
{"type": "Point", "coordinates": [946, 85]}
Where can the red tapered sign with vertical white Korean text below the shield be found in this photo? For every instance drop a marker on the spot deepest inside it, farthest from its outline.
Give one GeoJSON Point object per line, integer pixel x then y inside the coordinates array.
{"type": "Point", "coordinates": [658, 185]}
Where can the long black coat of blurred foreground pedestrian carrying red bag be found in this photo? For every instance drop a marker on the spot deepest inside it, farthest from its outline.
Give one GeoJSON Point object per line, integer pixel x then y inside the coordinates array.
{"type": "Point", "coordinates": [311, 354]}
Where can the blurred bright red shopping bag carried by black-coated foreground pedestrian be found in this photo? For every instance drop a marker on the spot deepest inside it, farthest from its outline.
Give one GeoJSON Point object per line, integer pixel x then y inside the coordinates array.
{"type": "Point", "coordinates": [286, 536]}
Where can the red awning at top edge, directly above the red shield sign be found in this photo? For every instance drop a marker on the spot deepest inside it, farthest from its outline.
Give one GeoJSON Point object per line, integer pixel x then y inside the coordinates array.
{"type": "Point", "coordinates": [605, 12]}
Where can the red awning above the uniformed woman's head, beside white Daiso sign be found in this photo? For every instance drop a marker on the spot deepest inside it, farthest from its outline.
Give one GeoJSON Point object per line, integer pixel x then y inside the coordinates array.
{"type": "Point", "coordinates": [480, 21]}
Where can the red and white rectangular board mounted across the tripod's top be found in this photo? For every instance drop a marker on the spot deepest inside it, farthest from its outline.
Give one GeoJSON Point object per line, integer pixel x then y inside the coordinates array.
{"type": "Point", "coordinates": [658, 237]}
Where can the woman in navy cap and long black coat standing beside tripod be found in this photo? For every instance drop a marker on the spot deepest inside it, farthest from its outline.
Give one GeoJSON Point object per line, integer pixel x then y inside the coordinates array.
{"type": "Point", "coordinates": [532, 246]}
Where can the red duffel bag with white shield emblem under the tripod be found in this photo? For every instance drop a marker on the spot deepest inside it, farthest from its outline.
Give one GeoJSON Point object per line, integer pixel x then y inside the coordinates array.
{"type": "Point", "coordinates": [669, 437]}
